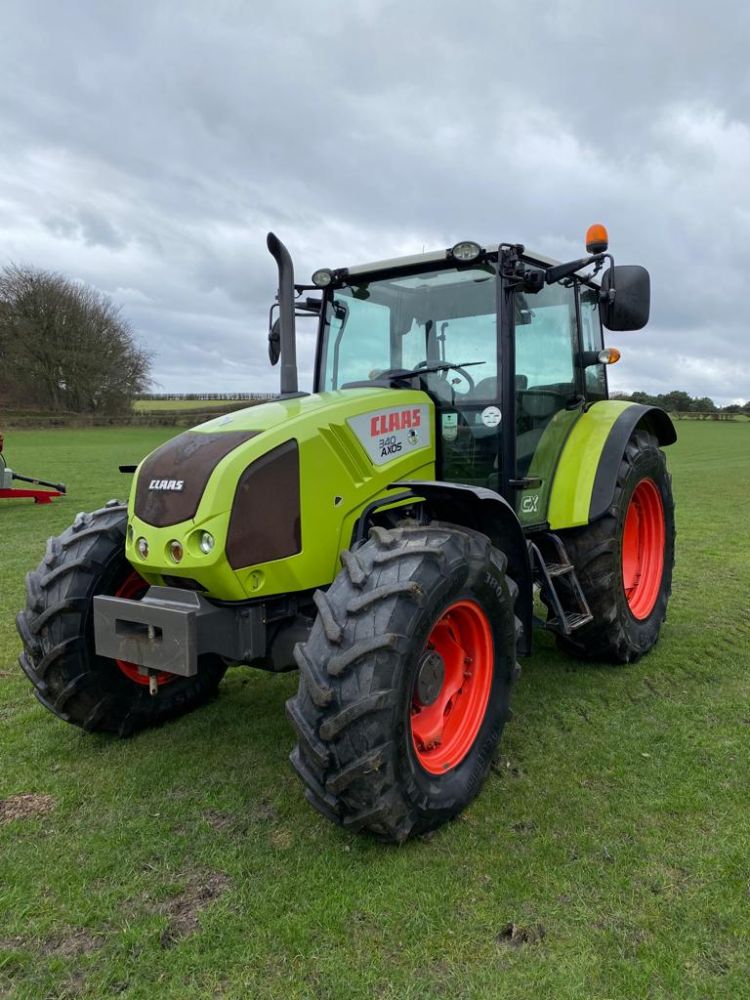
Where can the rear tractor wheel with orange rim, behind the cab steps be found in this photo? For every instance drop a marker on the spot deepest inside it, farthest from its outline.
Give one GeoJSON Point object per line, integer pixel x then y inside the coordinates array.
{"type": "Point", "coordinates": [624, 560]}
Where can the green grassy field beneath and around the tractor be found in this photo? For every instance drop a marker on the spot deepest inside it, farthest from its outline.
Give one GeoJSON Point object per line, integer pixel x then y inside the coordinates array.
{"type": "Point", "coordinates": [613, 830]}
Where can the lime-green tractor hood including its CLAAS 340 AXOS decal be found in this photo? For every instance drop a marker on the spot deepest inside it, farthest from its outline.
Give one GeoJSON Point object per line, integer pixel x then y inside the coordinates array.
{"type": "Point", "coordinates": [352, 444]}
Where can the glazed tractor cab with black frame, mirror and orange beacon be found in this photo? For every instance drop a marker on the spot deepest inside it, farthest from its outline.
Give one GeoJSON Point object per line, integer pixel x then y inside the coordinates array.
{"type": "Point", "coordinates": [507, 344]}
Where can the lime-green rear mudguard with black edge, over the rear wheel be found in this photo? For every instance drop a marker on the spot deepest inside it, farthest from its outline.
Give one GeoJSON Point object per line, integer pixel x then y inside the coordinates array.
{"type": "Point", "coordinates": [584, 481]}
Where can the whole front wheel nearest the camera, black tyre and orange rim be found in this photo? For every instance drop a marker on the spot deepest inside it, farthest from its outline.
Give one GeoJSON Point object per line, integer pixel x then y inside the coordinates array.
{"type": "Point", "coordinates": [405, 680]}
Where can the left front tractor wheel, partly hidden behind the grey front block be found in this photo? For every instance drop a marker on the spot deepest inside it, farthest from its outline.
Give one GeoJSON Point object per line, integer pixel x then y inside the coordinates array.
{"type": "Point", "coordinates": [57, 630]}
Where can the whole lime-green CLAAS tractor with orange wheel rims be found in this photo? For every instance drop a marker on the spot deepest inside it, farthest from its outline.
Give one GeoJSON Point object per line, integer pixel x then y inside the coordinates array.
{"type": "Point", "coordinates": [384, 534]}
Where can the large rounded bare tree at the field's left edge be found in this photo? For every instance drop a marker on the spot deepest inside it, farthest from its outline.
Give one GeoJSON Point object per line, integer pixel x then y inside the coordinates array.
{"type": "Point", "coordinates": [65, 346]}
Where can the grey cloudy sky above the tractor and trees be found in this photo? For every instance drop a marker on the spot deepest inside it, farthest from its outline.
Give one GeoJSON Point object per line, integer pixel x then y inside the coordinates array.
{"type": "Point", "coordinates": [148, 148]}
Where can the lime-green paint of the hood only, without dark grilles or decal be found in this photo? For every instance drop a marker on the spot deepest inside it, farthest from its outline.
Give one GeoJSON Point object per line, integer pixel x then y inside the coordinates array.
{"type": "Point", "coordinates": [333, 464]}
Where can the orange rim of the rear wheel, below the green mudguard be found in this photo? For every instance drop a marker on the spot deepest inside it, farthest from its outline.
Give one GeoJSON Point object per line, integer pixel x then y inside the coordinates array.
{"type": "Point", "coordinates": [643, 549]}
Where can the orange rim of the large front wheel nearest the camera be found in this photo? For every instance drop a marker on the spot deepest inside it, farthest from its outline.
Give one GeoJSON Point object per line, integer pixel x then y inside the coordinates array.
{"type": "Point", "coordinates": [452, 687]}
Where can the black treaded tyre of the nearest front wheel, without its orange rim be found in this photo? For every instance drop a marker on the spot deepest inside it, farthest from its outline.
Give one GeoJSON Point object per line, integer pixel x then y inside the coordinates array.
{"type": "Point", "coordinates": [349, 753]}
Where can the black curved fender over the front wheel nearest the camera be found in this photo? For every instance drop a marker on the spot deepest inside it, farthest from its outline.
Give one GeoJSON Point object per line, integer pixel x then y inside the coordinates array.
{"type": "Point", "coordinates": [486, 511]}
